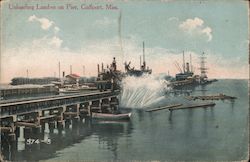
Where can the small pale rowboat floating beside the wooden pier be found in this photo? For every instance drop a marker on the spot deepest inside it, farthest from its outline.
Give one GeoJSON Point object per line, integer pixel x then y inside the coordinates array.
{"type": "Point", "coordinates": [111, 116]}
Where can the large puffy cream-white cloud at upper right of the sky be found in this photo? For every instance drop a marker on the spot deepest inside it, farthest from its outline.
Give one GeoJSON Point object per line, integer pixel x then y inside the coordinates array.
{"type": "Point", "coordinates": [196, 27]}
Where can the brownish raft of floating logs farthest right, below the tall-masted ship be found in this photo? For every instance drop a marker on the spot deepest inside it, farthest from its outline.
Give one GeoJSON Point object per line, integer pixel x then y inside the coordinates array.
{"type": "Point", "coordinates": [212, 97]}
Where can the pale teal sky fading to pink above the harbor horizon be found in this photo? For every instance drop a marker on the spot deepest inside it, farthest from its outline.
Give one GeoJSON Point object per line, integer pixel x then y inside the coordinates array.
{"type": "Point", "coordinates": [37, 39]}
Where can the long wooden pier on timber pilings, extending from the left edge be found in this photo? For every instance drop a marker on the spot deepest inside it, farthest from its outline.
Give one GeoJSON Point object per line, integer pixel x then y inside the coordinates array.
{"type": "Point", "coordinates": [32, 113]}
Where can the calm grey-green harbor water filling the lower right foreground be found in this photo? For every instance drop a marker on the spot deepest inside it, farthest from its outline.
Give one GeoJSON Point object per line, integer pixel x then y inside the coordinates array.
{"type": "Point", "coordinates": [218, 133]}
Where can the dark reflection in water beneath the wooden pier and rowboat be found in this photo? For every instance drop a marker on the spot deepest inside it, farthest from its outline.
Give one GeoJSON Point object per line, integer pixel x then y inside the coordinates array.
{"type": "Point", "coordinates": [74, 132]}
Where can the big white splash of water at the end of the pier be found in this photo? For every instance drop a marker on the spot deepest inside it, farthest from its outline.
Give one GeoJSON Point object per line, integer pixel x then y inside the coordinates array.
{"type": "Point", "coordinates": [144, 91]}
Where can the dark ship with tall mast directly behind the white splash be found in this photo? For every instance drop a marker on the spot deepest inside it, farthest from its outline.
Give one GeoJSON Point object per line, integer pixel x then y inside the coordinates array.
{"type": "Point", "coordinates": [138, 72]}
